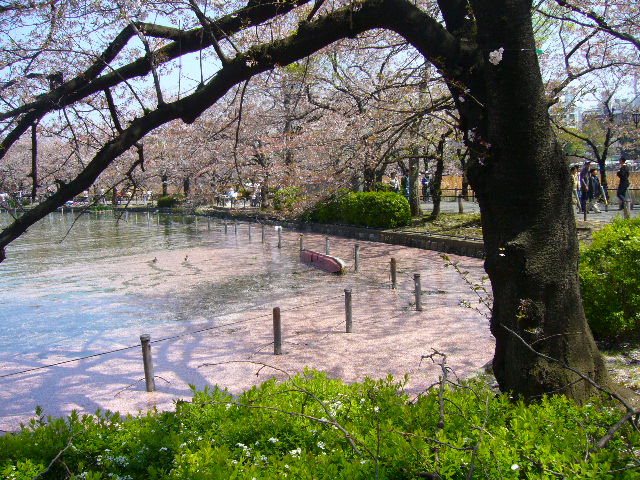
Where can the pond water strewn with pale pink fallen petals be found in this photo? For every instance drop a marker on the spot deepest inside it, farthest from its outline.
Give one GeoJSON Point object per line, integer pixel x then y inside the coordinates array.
{"type": "Point", "coordinates": [206, 297]}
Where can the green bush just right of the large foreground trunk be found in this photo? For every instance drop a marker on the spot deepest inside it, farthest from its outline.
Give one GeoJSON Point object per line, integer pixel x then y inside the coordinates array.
{"type": "Point", "coordinates": [610, 279]}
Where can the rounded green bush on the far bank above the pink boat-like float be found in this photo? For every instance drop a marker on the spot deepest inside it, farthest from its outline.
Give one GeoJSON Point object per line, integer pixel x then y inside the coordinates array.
{"type": "Point", "coordinates": [369, 209]}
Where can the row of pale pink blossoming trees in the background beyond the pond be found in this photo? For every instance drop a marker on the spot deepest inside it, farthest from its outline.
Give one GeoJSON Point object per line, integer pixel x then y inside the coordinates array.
{"type": "Point", "coordinates": [337, 119]}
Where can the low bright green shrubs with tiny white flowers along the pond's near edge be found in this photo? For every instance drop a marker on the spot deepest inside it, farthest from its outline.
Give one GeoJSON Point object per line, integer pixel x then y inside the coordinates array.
{"type": "Point", "coordinates": [279, 430]}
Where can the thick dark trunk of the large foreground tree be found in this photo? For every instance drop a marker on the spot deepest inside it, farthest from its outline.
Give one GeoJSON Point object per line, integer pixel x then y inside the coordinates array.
{"type": "Point", "coordinates": [524, 190]}
